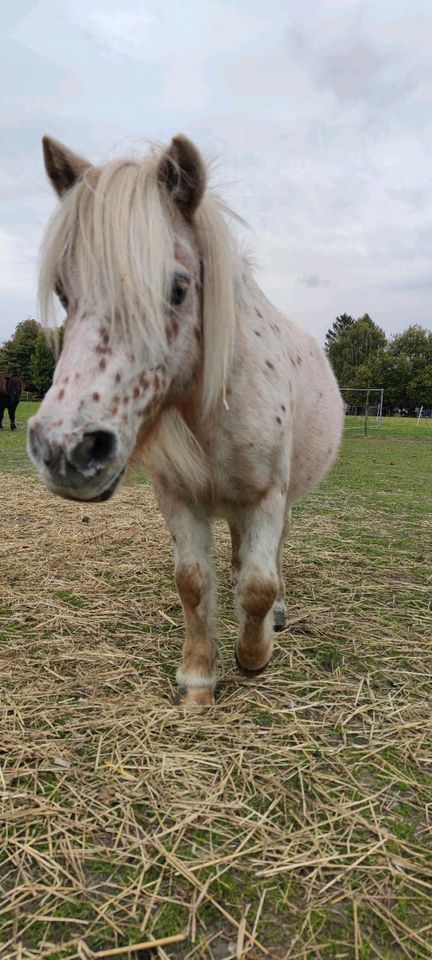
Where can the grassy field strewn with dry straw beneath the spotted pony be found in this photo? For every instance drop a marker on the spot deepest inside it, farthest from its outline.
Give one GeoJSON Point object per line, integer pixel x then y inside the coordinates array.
{"type": "Point", "coordinates": [293, 820]}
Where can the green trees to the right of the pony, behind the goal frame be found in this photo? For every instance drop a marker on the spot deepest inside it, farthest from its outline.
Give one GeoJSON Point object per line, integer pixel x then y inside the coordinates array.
{"type": "Point", "coordinates": [362, 356]}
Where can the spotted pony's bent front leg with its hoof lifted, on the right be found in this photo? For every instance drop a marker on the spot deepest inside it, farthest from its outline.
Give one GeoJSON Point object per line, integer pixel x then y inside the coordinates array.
{"type": "Point", "coordinates": [258, 585]}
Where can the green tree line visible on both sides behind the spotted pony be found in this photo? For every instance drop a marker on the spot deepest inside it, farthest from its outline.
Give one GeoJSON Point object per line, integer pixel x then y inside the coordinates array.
{"type": "Point", "coordinates": [359, 351]}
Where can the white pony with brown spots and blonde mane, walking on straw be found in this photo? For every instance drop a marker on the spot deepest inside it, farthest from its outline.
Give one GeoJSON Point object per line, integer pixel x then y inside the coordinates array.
{"type": "Point", "coordinates": [174, 358]}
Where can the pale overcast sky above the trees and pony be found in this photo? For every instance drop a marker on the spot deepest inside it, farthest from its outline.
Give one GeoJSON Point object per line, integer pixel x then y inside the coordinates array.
{"type": "Point", "coordinates": [316, 116]}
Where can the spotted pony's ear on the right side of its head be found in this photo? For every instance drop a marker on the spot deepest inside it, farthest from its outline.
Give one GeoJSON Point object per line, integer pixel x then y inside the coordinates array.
{"type": "Point", "coordinates": [182, 173]}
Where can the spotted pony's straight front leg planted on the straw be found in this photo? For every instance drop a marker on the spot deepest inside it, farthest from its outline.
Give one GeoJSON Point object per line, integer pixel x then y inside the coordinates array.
{"type": "Point", "coordinates": [196, 584]}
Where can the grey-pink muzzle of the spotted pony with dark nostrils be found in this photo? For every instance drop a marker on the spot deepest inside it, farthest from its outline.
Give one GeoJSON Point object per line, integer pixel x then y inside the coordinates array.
{"type": "Point", "coordinates": [85, 466]}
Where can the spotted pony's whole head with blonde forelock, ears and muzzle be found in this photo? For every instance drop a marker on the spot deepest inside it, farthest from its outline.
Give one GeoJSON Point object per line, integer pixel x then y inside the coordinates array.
{"type": "Point", "coordinates": [142, 262]}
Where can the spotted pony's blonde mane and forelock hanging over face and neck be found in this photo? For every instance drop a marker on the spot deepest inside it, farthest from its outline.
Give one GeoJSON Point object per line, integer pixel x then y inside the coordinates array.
{"type": "Point", "coordinates": [114, 231]}
